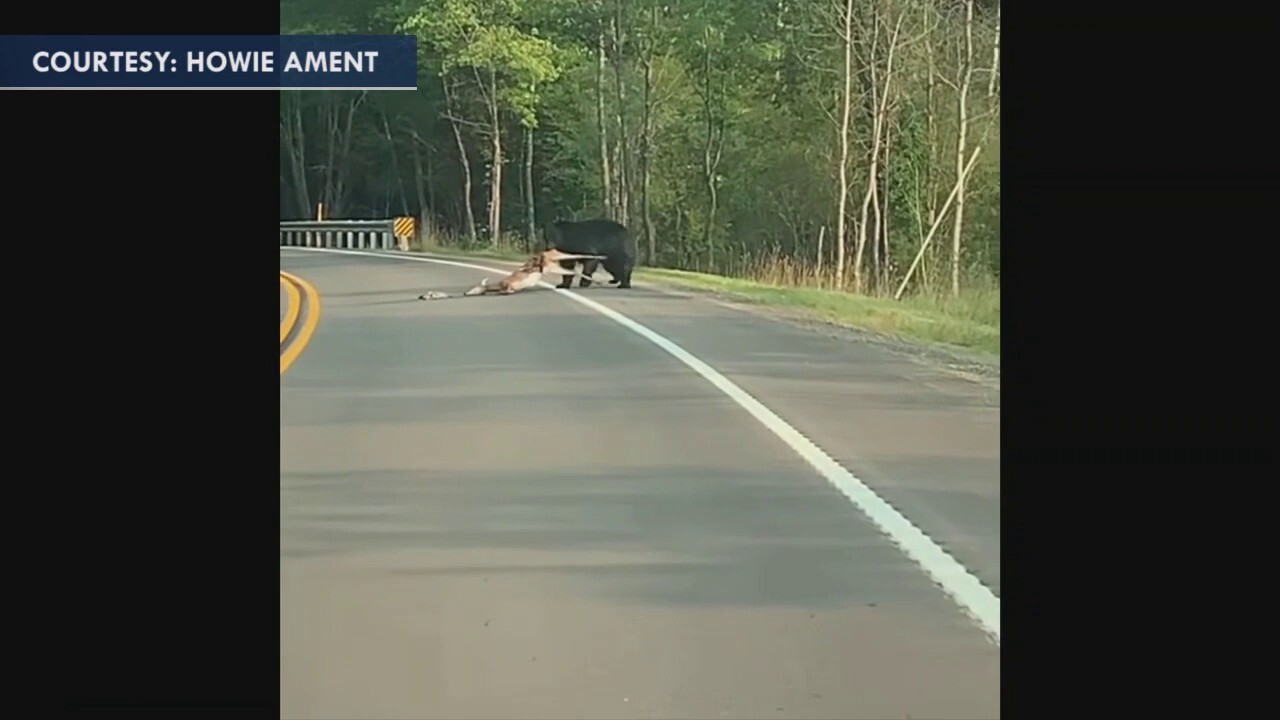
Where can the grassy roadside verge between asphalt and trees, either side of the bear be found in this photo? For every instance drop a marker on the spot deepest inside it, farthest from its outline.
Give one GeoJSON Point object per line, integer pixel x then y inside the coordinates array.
{"type": "Point", "coordinates": [971, 322]}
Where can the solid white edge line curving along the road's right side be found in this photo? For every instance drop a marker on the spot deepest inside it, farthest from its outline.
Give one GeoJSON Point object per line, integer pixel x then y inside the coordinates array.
{"type": "Point", "coordinates": [973, 598]}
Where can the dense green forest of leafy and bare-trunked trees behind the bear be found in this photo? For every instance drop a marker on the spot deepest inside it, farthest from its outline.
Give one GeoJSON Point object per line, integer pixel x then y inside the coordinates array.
{"type": "Point", "coordinates": [845, 145]}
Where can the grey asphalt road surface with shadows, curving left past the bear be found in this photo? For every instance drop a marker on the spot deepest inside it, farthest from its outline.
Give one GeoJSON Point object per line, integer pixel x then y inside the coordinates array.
{"type": "Point", "coordinates": [518, 508]}
